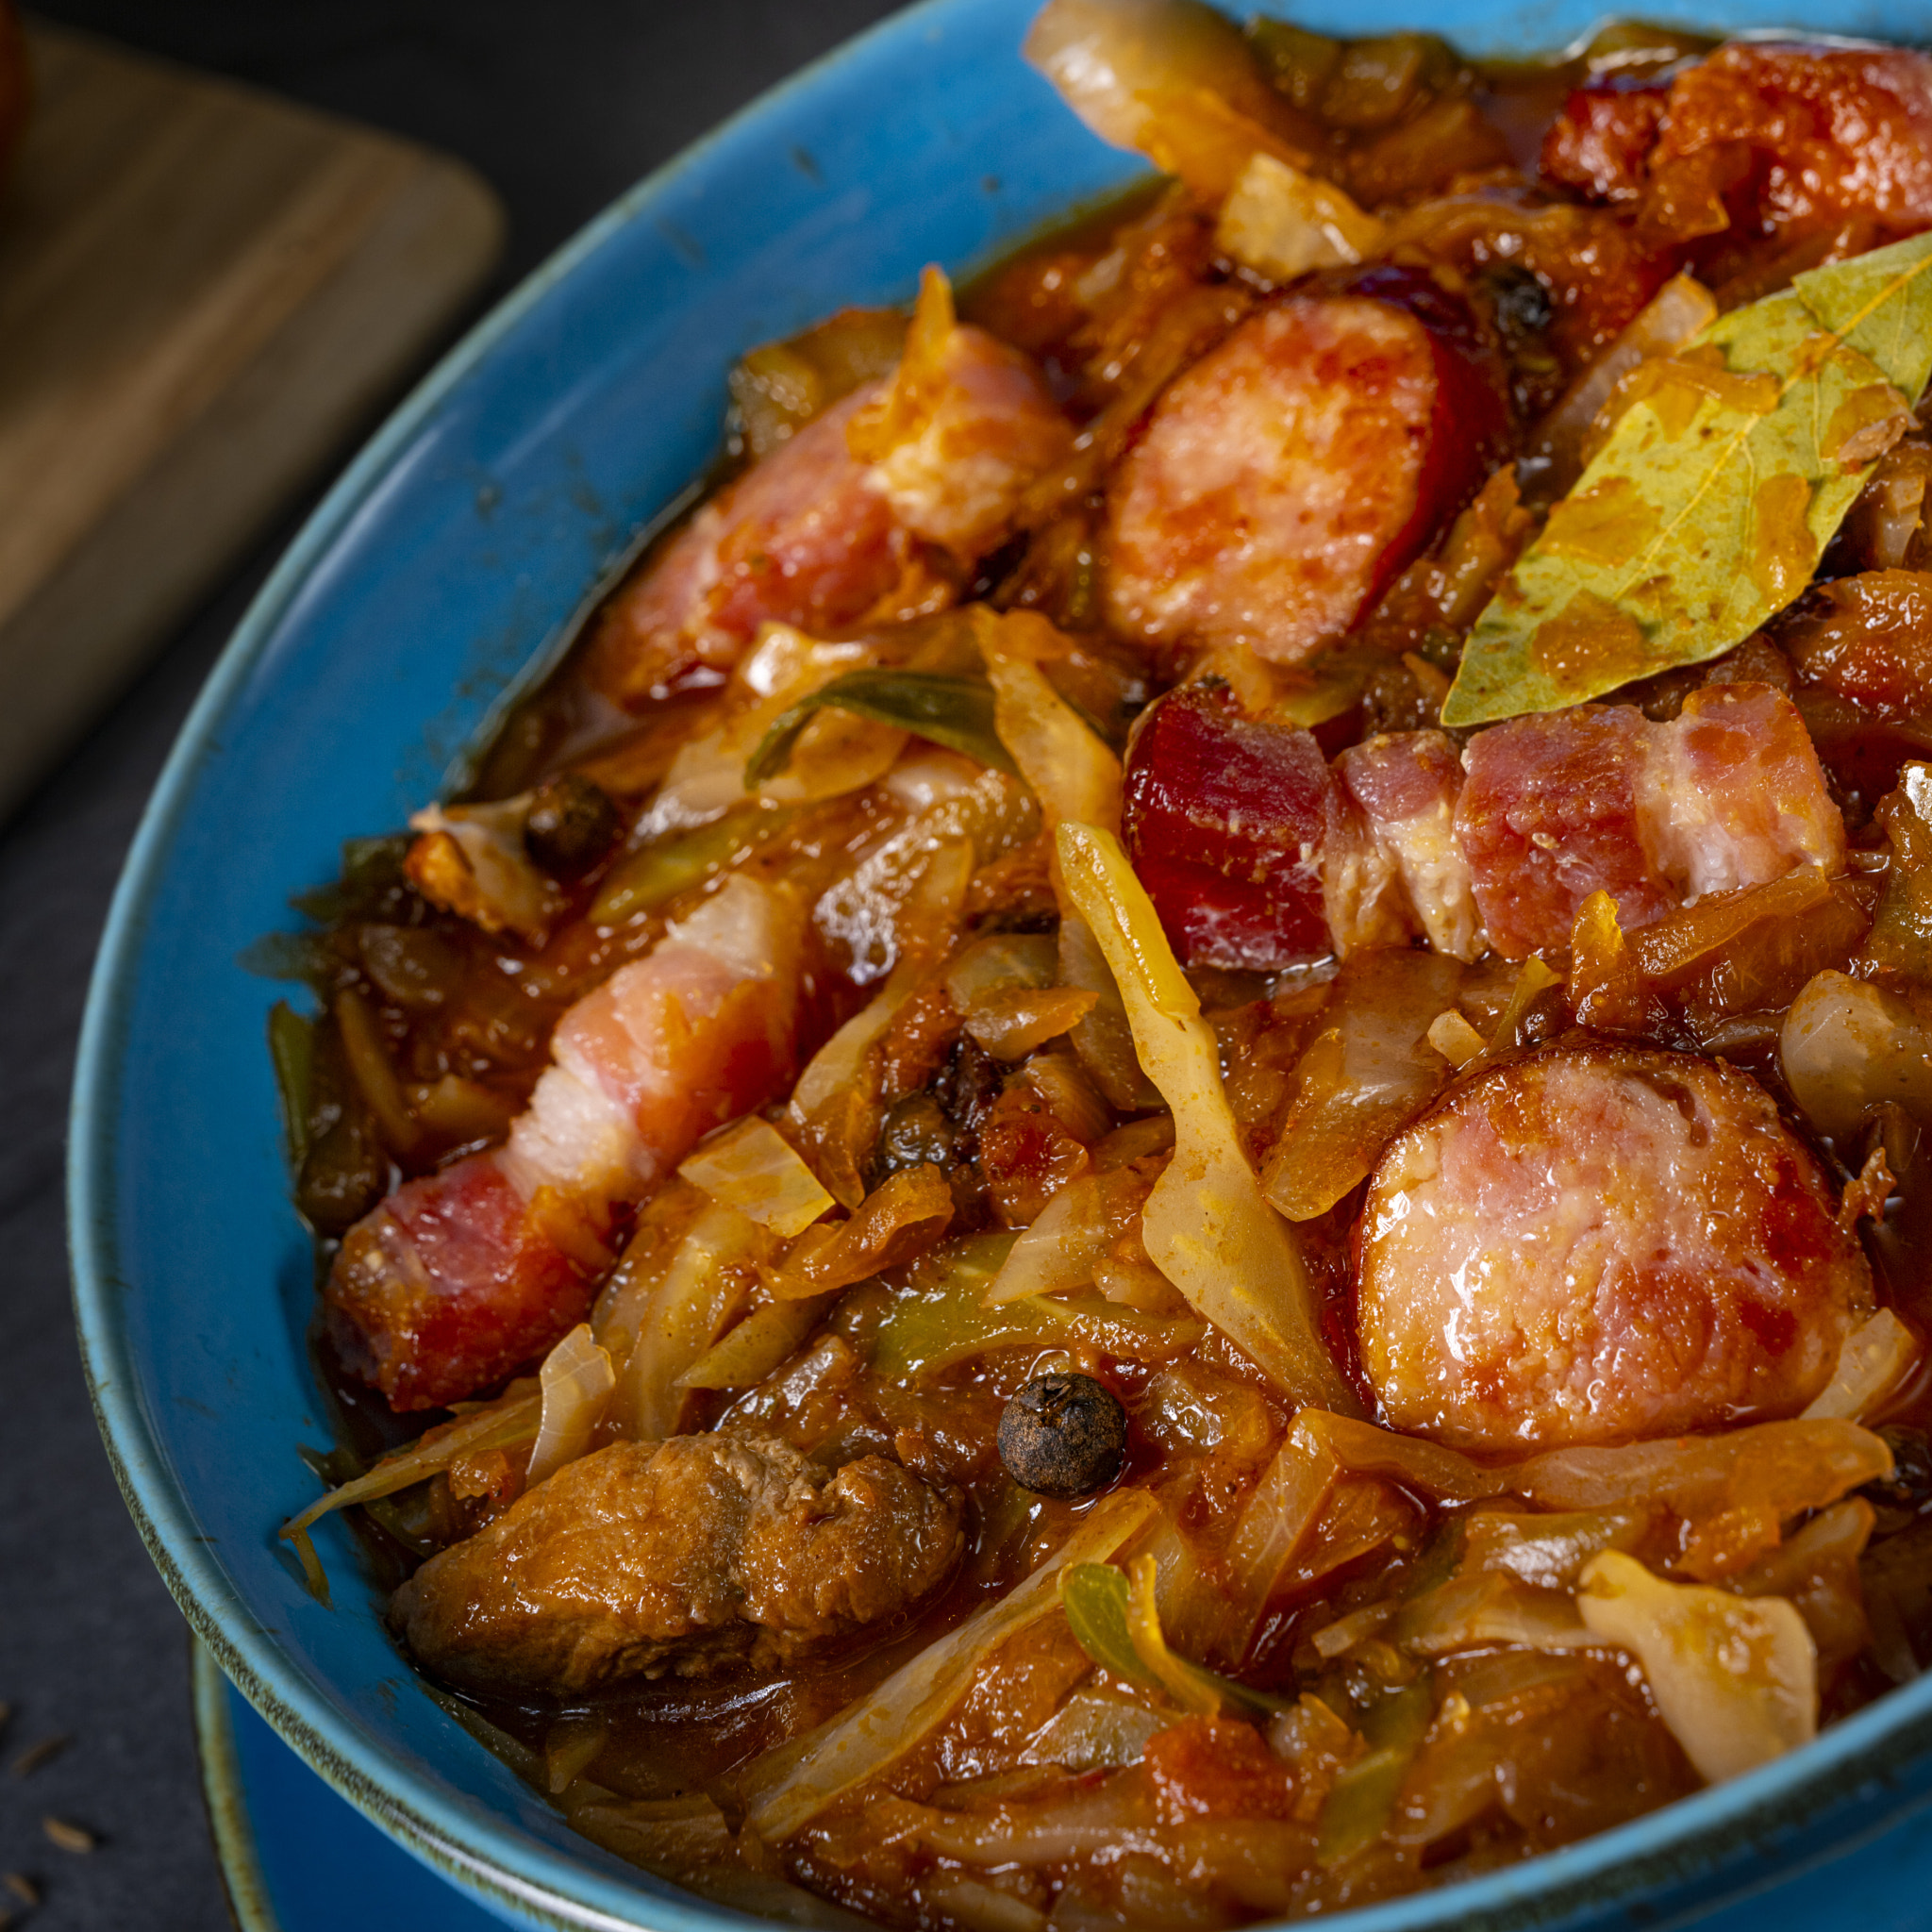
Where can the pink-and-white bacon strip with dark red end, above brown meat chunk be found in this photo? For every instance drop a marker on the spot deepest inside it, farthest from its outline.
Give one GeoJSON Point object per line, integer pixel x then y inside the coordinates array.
{"type": "Point", "coordinates": [463, 1276]}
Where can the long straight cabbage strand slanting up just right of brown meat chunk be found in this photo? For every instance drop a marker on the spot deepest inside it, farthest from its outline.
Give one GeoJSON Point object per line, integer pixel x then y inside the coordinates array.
{"type": "Point", "coordinates": [791, 1786]}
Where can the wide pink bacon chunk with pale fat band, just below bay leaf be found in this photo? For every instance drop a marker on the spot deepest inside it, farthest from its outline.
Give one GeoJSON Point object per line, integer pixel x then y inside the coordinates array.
{"type": "Point", "coordinates": [1601, 799]}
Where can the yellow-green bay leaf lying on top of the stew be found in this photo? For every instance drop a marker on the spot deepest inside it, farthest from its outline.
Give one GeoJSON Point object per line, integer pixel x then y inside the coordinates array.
{"type": "Point", "coordinates": [1717, 494]}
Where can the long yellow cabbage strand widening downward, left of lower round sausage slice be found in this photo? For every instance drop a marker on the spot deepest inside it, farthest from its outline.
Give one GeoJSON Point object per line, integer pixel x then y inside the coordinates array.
{"type": "Point", "coordinates": [1207, 1224]}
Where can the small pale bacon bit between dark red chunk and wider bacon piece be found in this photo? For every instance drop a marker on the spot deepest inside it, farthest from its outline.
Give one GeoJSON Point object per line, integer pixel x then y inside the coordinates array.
{"type": "Point", "coordinates": [1392, 867]}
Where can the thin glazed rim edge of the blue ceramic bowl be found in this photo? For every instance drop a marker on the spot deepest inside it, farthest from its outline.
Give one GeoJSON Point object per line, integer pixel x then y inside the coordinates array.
{"type": "Point", "coordinates": [1697, 1838]}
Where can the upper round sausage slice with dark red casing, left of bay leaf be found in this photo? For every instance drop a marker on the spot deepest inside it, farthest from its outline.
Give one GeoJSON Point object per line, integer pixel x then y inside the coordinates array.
{"type": "Point", "coordinates": [1293, 470]}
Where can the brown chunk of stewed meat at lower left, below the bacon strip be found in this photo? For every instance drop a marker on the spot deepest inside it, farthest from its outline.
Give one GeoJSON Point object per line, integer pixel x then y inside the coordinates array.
{"type": "Point", "coordinates": [679, 1558]}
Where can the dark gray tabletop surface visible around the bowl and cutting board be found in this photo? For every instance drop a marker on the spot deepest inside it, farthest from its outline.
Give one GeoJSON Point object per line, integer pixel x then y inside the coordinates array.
{"type": "Point", "coordinates": [559, 107]}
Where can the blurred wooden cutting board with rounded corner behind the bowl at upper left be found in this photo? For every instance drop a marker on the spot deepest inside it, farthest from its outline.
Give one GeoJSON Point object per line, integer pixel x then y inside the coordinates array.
{"type": "Point", "coordinates": [204, 293]}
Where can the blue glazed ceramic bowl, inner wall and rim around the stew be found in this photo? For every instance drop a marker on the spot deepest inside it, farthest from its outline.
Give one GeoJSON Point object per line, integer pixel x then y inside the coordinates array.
{"type": "Point", "coordinates": [445, 565]}
